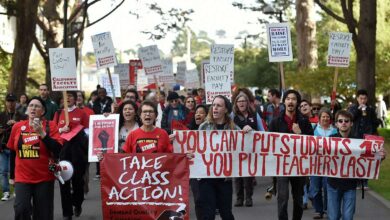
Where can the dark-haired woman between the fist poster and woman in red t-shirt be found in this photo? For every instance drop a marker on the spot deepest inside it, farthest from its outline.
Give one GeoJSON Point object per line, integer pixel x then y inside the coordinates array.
{"type": "Point", "coordinates": [128, 121]}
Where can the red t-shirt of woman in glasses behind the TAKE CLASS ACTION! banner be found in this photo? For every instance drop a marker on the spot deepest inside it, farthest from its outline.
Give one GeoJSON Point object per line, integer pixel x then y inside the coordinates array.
{"type": "Point", "coordinates": [140, 141]}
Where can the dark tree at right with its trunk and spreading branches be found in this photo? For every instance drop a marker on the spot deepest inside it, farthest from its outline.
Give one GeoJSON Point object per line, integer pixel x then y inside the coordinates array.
{"type": "Point", "coordinates": [363, 37]}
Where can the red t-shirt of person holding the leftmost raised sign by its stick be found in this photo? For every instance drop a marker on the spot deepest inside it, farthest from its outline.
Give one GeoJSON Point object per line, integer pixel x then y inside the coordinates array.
{"type": "Point", "coordinates": [77, 116]}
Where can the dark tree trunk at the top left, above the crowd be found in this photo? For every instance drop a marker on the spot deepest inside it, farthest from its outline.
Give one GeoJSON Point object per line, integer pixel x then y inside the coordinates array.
{"type": "Point", "coordinates": [25, 29]}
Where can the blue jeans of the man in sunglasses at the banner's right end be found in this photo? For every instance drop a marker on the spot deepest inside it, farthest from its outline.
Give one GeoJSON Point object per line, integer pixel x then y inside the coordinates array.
{"type": "Point", "coordinates": [341, 203]}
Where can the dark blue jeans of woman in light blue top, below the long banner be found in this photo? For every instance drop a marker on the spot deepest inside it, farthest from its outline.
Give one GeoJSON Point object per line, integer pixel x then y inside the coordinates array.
{"type": "Point", "coordinates": [317, 186]}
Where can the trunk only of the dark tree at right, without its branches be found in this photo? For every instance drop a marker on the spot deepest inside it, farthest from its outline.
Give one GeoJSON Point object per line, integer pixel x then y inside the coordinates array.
{"type": "Point", "coordinates": [365, 48]}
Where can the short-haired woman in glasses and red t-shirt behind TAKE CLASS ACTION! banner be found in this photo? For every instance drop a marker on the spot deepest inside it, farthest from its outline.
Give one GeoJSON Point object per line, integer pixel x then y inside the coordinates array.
{"type": "Point", "coordinates": [148, 138]}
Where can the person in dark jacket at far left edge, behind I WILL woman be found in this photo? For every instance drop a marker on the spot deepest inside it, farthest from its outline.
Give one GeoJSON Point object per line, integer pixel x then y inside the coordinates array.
{"type": "Point", "coordinates": [7, 119]}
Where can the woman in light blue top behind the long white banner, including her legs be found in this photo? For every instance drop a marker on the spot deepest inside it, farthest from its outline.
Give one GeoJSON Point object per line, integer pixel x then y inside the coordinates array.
{"type": "Point", "coordinates": [317, 189]}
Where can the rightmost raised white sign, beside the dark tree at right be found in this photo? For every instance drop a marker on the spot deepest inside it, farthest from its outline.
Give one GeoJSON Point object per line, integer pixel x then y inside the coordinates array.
{"type": "Point", "coordinates": [339, 49]}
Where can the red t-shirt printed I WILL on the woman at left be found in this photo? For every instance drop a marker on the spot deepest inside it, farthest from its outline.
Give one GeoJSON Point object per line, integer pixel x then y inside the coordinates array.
{"type": "Point", "coordinates": [32, 158]}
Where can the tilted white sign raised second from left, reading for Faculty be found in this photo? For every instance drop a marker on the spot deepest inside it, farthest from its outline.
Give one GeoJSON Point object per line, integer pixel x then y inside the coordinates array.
{"type": "Point", "coordinates": [104, 50]}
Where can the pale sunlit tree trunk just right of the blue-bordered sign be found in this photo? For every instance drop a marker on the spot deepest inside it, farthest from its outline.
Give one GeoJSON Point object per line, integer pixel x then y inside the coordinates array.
{"type": "Point", "coordinates": [306, 35]}
